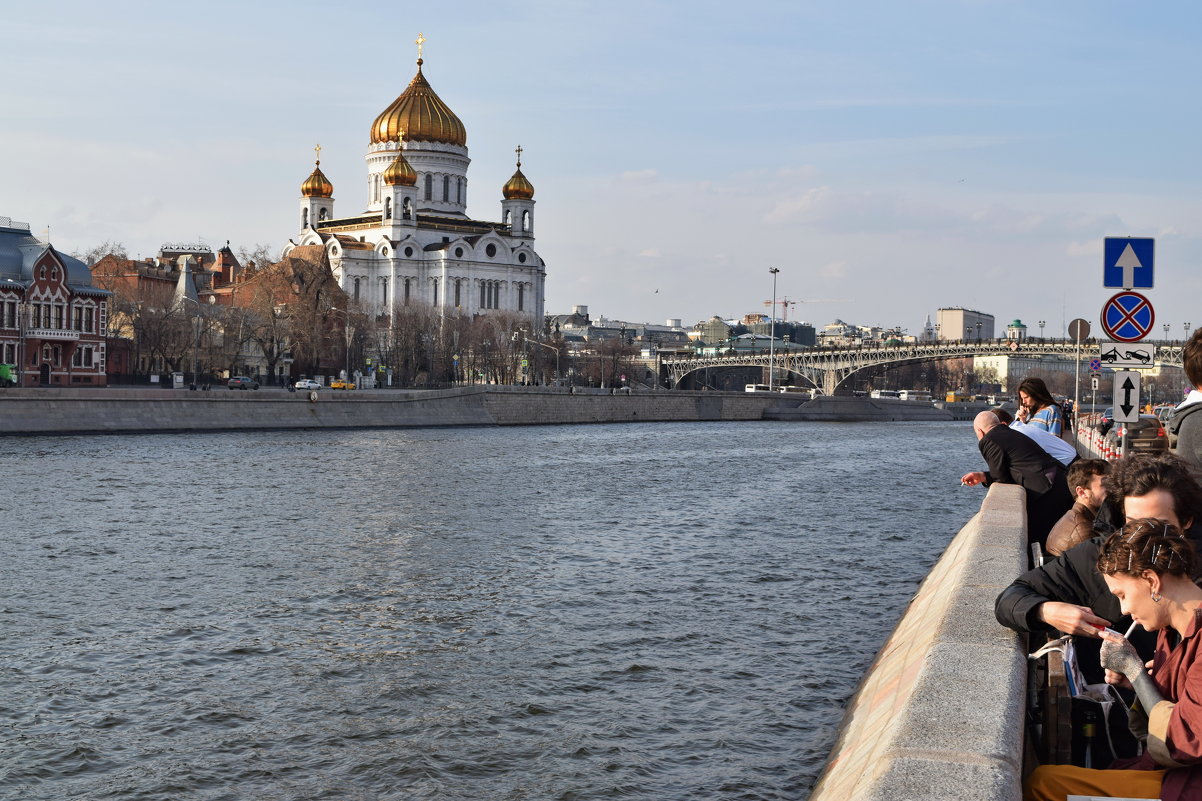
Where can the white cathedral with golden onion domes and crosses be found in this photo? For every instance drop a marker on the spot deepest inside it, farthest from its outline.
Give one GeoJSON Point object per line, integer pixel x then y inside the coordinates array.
{"type": "Point", "coordinates": [415, 244]}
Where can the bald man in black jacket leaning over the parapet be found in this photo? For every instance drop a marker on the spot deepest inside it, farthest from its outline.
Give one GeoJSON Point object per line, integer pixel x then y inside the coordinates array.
{"type": "Point", "coordinates": [1014, 459]}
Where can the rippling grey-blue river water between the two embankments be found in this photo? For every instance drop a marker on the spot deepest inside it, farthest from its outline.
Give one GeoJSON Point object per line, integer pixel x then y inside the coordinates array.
{"type": "Point", "coordinates": [579, 613]}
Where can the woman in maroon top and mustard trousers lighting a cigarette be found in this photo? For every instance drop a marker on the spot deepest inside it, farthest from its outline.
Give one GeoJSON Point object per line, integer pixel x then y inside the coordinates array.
{"type": "Point", "coordinates": [1147, 566]}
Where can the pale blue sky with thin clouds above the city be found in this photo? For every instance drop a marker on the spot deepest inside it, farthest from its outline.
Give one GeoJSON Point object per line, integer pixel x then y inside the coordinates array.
{"type": "Point", "coordinates": [889, 158]}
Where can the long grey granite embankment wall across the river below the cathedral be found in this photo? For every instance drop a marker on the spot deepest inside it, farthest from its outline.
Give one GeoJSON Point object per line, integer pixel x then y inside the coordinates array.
{"type": "Point", "coordinates": [121, 411]}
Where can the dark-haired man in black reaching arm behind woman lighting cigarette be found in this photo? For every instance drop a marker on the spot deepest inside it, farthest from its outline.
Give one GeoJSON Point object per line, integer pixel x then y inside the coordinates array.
{"type": "Point", "coordinates": [1068, 594]}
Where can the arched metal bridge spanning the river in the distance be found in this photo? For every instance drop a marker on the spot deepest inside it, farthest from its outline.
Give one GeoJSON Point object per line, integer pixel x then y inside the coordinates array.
{"type": "Point", "coordinates": [829, 369]}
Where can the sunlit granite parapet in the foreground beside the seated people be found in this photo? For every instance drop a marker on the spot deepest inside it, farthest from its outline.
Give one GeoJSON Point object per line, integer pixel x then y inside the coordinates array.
{"type": "Point", "coordinates": [939, 715]}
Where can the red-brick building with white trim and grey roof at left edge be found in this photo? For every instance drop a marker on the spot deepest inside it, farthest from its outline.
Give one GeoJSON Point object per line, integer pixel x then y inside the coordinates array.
{"type": "Point", "coordinates": [53, 321]}
